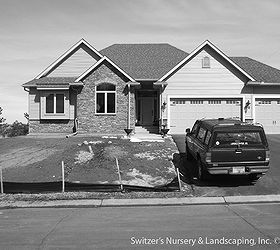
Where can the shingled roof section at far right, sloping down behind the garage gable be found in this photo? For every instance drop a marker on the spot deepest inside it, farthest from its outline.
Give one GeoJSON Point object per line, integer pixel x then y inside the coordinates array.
{"type": "Point", "coordinates": [259, 71]}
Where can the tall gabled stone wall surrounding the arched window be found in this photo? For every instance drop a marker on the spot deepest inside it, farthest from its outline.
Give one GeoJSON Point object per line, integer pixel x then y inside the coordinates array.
{"type": "Point", "coordinates": [89, 122]}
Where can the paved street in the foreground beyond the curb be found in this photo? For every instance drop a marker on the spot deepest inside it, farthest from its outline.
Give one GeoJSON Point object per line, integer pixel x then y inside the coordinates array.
{"type": "Point", "coordinates": [254, 226]}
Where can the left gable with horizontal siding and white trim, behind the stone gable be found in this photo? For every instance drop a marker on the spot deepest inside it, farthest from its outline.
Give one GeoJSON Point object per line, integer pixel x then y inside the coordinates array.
{"type": "Point", "coordinates": [73, 62]}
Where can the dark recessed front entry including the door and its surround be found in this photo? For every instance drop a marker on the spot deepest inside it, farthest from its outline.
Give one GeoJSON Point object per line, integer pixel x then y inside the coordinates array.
{"type": "Point", "coordinates": [147, 108]}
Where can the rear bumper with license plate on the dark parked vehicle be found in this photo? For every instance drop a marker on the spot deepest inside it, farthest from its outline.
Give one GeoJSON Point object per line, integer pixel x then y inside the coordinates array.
{"type": "Point", "coordinates": [229, 170]}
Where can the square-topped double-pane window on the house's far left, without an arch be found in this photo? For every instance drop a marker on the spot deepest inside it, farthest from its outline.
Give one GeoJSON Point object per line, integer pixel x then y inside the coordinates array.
{"type": "Point", "coordinates": [55, 104]}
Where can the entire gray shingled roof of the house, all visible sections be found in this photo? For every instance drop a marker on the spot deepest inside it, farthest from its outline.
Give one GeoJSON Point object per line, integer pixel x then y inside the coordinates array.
{"type": "Point", "coordinates": [152, 61]}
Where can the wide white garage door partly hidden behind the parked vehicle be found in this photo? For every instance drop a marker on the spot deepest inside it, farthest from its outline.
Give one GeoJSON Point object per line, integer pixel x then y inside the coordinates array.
{"type": "Point", "coordinates": [185, 111]}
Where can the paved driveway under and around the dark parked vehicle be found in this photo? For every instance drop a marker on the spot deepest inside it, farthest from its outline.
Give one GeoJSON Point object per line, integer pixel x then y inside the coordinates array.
{"type": "Point", "coordinates": [231, 185]}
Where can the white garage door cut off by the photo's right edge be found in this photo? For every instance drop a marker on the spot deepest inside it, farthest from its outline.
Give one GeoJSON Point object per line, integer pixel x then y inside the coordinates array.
{"type": "Point", "coordinates": [268, 114]}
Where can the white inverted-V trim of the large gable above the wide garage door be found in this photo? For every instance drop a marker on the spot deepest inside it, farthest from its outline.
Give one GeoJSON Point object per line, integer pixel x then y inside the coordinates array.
{"type": "Point", "coordinates": [195, 52]}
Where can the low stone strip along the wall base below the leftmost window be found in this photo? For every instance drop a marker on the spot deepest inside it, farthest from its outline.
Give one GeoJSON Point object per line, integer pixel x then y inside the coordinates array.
{"type": "Point", "coordinates": [51, 126]}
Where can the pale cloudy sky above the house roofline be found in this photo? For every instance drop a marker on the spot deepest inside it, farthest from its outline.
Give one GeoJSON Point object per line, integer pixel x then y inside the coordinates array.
{"type": "Point", "coordinates": [34, 33]}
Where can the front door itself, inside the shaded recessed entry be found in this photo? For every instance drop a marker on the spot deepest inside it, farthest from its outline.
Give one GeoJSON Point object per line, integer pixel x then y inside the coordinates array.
{"type": "Point", "coordinates": [147, 108]}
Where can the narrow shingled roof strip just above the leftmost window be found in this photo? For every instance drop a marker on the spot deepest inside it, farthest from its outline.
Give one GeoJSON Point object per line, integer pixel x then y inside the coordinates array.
{"type": "Point", "coordinates": [53, 81]}
